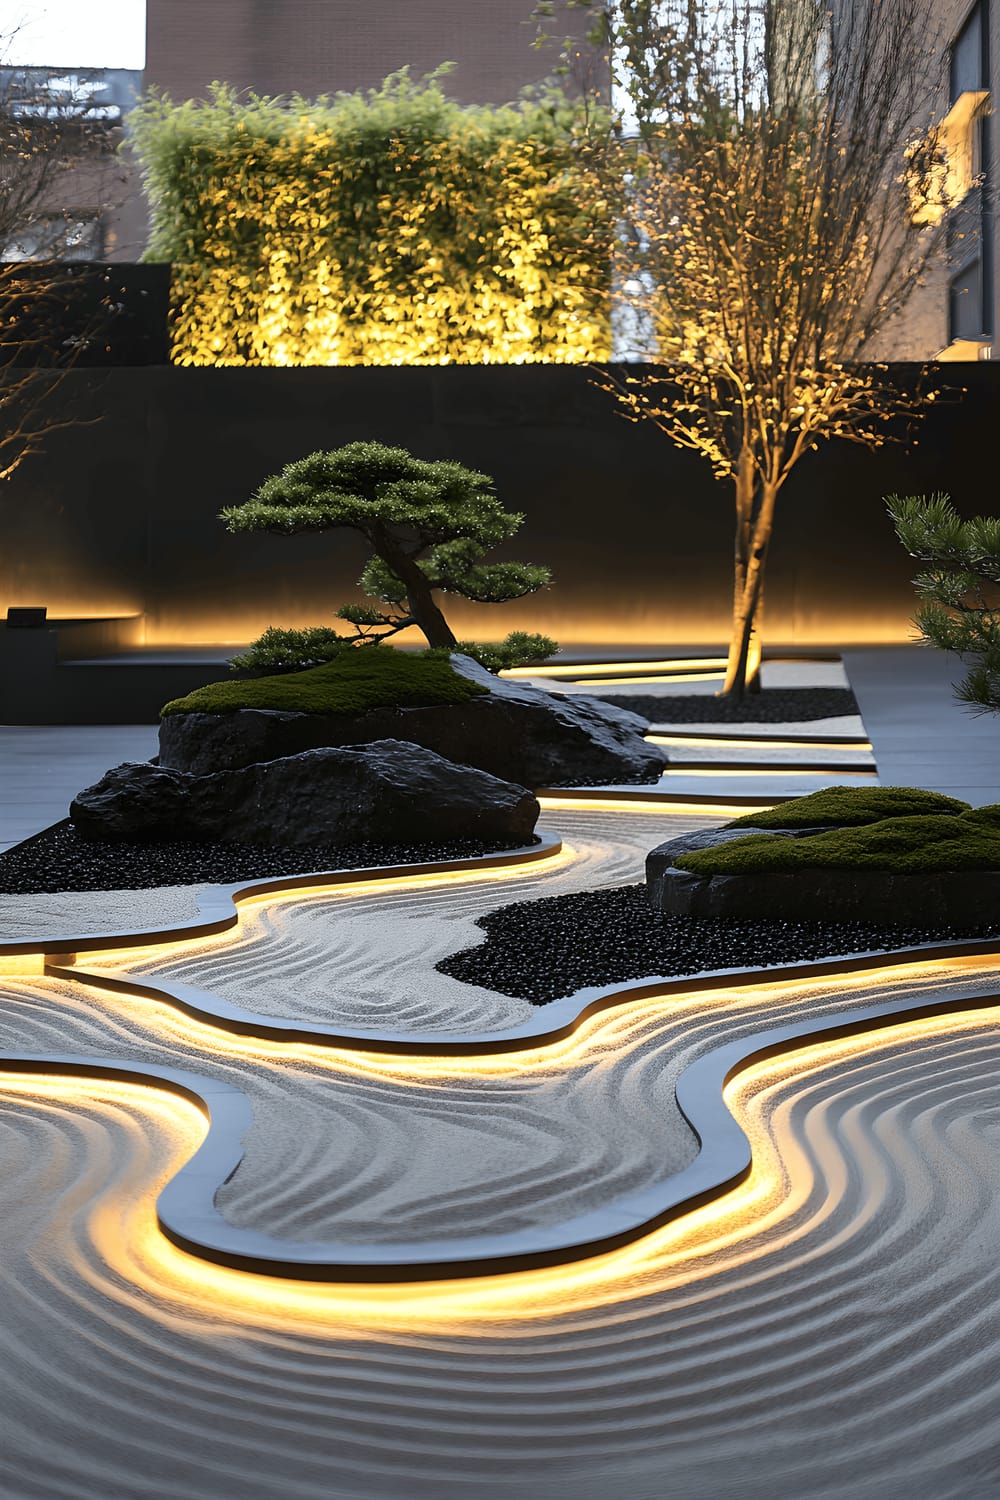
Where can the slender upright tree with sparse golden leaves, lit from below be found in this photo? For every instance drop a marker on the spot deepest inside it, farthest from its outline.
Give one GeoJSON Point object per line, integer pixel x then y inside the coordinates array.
{"type": "Point", "coordinates": [771, 235]}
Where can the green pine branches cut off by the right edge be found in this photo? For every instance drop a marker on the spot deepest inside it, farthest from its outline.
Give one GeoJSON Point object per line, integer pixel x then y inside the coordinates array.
{"type": "Point", "coordinates": [960, 587]}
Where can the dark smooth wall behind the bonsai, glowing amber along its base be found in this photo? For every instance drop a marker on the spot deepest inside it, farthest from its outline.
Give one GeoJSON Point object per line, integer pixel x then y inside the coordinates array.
{"type": "Point", "coordinates": [121, 517]}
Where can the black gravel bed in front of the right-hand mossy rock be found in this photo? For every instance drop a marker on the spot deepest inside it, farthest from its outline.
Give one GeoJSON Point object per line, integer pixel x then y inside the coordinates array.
{"type": "Point", "coordinates": [543, 950]}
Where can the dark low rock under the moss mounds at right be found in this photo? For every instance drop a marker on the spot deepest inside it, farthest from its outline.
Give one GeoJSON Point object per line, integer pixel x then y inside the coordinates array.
{"type": "Point", "coordinates": [963, 898]}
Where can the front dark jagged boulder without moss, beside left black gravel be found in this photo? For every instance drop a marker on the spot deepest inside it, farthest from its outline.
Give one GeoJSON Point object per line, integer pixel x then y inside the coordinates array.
{"type": "Point", "coordinates": [383, 793]}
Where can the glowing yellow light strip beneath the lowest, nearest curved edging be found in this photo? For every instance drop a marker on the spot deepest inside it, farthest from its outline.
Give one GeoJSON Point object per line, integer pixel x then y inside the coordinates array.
{"type": "Point", "coordinates": [169, 1283]}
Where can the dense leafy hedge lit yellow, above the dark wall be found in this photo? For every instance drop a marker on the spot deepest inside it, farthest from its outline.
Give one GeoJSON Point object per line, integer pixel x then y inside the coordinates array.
{"type": "Point", "coordinates": [383, 229]}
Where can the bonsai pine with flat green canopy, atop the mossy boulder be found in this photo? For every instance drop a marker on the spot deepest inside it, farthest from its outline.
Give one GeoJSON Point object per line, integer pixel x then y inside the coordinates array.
{"type": "Point", "coordinates": [430, 526]}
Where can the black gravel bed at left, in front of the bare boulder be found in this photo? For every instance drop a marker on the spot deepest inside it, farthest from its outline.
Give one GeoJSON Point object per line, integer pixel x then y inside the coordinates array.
{"type": "Point", "coordinates": [61, 860]}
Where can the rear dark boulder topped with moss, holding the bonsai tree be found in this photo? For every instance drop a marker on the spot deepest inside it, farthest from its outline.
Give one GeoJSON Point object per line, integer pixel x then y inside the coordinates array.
{"type": "Point", "coordinates": [518, 733]}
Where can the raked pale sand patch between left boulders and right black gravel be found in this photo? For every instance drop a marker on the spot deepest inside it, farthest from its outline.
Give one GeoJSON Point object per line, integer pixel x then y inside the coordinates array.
{"type": "Point", "coordinates": [365, 961]}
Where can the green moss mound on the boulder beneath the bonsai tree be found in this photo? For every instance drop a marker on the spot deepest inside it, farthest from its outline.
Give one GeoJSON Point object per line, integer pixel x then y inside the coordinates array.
{"type": "Point", "coordinates": [353, 683]}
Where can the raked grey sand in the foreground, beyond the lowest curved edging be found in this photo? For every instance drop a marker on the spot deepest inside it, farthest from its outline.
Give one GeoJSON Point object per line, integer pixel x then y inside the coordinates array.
{"type": "Point", "coordinates": [833, 1333]}
